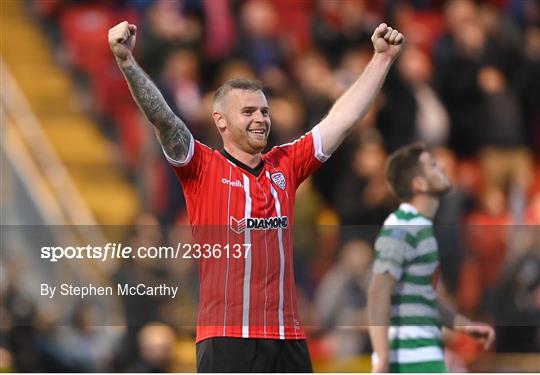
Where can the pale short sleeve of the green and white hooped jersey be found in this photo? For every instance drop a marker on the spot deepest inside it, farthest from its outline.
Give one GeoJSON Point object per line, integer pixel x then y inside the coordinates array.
{"type": "Point", "coordinates": [390, 252]}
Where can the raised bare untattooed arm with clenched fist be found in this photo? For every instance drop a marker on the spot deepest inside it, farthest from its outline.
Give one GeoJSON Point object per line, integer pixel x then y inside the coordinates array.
{"type": "Point", "coordinates": [355, 102]}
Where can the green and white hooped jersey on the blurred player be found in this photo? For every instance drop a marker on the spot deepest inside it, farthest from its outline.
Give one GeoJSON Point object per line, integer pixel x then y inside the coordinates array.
{"type": "Point", "coordinates": [406, 248]}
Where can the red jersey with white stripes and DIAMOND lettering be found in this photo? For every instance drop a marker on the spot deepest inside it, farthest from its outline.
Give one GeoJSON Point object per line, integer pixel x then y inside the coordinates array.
{"type": "Point", "coordinates": [228, 203]}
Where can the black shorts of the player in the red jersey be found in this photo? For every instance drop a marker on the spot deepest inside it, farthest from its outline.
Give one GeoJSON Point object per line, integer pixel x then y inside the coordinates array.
{"type": "Point", "coordinates": [230, 354]}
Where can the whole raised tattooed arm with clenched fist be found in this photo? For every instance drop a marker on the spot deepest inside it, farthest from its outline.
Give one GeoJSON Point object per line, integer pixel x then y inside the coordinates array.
{"type": "Point", "coordinates": [171, 131]}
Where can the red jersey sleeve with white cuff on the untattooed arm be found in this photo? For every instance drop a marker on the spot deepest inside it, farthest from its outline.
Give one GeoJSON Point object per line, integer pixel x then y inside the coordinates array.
{"type": "Point", "coordinates": [306, 154]}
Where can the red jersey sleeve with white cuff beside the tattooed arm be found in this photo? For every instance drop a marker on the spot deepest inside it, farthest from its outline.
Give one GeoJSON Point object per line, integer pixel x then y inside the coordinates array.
{"type": "Point", "coordinates": [190, 170]}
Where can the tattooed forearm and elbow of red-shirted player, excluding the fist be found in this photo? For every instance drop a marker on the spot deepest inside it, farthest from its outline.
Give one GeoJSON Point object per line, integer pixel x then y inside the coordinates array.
{"type": "Point", "coordinates": [172, 132]}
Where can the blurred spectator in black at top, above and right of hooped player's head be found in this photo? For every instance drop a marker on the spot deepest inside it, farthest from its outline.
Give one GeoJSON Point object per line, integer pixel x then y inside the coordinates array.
{"type": "Point", "coordinates": [458, 56]}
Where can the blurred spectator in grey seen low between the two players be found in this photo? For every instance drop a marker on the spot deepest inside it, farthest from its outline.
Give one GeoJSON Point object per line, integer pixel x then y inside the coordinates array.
{"type": "Point", "coordinates": [340, 301]}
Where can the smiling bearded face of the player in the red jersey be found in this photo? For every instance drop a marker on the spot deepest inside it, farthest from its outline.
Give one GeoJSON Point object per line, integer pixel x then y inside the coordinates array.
{"type": "Point", "coordinates": [247, 120]}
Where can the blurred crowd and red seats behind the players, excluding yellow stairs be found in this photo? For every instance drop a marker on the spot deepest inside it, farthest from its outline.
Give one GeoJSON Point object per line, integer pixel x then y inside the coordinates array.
{"type": "Point", "coordinates": [467, 84]}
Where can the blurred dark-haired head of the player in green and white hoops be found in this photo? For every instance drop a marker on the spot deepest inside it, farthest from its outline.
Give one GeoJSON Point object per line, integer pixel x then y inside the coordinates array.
{"type": "Point", "coordinates": [412, 170]}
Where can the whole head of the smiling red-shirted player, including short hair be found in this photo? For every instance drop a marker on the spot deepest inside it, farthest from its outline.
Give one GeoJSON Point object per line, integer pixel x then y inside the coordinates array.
{"type": "Point", "coordinates": [241, 115]}
